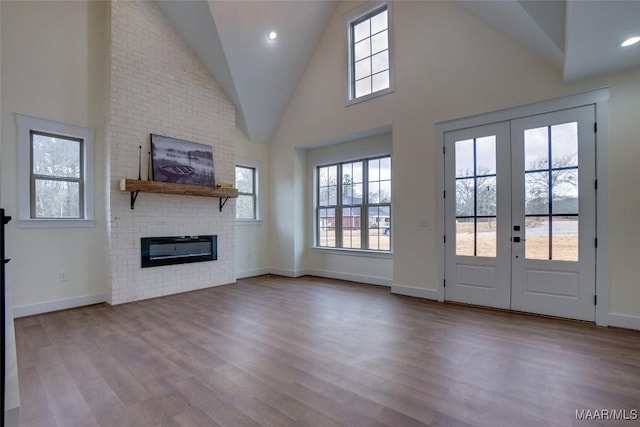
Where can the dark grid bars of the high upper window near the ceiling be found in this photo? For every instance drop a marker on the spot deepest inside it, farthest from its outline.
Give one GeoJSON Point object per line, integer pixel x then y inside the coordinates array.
{"type": "Point", "coordinates": [370, 56]}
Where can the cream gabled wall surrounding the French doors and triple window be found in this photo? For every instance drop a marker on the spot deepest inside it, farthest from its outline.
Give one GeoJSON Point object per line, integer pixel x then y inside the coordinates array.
{"type": "Point", "coordinates": [448, 65]}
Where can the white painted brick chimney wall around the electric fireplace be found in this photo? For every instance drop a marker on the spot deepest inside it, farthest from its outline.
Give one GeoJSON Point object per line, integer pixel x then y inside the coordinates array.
{"type": "Point", "coordinates": [157, 85]}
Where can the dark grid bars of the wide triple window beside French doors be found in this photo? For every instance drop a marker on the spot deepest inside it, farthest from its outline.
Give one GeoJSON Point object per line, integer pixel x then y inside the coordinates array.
{"type": "Point", "coordinates": [339, 206]}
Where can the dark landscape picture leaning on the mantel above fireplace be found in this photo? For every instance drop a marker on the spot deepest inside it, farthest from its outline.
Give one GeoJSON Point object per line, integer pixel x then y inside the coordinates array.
{"type": "Point", "coordinates": [181, 162]}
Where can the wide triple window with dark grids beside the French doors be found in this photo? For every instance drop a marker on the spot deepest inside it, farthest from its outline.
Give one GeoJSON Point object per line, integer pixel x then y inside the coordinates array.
{"type": "Point", "coordinates": [354, 205]}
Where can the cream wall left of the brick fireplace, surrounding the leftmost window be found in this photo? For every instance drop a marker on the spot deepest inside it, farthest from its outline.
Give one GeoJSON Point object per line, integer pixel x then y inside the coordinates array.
{"type": "Point", "coordinates": [53, 67]}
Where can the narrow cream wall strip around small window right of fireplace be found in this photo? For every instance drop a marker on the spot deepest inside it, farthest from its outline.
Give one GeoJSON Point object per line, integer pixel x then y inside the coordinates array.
{"type": "Point", "coordinates": [252, 238]}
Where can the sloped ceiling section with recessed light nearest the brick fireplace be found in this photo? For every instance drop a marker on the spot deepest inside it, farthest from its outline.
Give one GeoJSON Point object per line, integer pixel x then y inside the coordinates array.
{"type": "Point", "coordinates": [259, 76]}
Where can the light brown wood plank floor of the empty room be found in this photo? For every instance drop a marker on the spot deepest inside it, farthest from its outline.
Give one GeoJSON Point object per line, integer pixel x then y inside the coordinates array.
{"type": "Point", "coordinates": [271, 351]}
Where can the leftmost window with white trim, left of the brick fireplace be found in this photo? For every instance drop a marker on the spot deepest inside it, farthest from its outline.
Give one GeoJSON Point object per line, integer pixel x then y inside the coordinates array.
{"type": "Point", "coordinates": [56, 173]}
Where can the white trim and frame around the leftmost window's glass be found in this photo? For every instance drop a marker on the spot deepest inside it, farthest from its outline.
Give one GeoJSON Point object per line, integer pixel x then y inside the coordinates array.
{"type": "Point", "coordinates": [26, 124]}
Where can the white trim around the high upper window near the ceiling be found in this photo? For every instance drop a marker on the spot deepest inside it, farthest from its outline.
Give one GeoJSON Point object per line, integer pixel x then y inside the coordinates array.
{"type": "Point", "coordinates": [351, 16]}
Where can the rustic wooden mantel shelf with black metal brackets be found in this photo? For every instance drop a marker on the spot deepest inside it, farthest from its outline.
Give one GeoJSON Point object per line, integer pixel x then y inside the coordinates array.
{"type": "Point", "coordinates": [135, 186]}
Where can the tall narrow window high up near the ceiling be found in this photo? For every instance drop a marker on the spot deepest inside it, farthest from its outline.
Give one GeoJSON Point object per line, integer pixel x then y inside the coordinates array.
{"type": "Point", "coordinates": [369, 54]}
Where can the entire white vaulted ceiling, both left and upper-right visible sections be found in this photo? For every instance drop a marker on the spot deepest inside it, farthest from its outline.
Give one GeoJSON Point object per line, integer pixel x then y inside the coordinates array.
{"type": "Point", "coordinates": [580, 38]}
